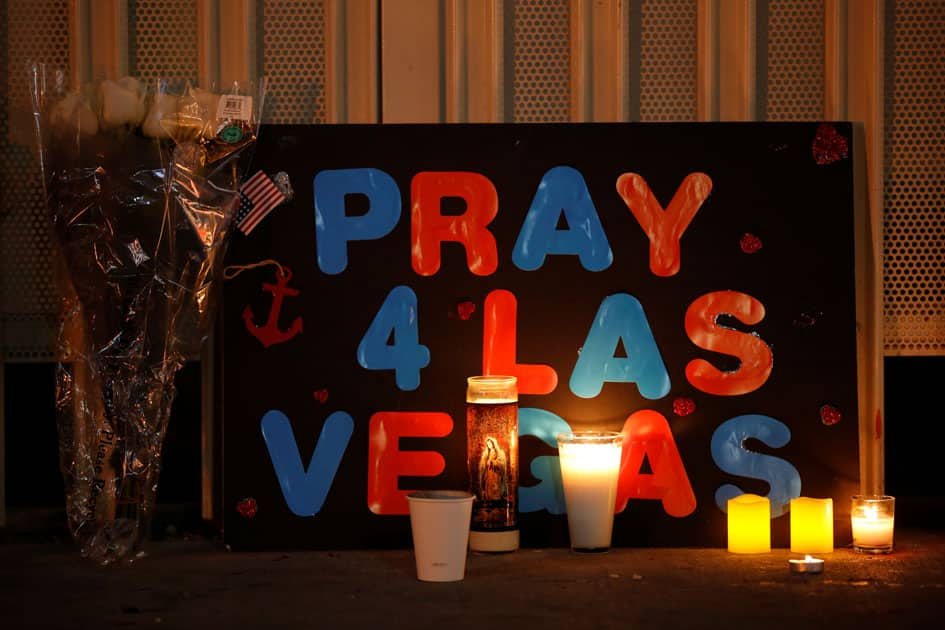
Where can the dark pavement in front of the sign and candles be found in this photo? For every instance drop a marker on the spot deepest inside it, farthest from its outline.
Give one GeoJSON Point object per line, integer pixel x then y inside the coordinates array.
{"type": "Point", "coordinates": [197, 583]}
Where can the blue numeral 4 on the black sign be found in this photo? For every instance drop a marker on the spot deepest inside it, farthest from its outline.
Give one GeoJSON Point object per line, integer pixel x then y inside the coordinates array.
{"type": "Point", "coordinates": [392, 341]}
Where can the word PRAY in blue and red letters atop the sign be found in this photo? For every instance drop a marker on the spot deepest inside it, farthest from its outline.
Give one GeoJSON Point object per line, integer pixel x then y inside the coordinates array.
{"type": "Point", "coordinates": [562, 191]}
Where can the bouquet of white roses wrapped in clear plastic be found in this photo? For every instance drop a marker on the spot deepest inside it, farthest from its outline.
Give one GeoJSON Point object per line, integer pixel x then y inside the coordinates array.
{"type": "Point", "coordinates": [142, 187]}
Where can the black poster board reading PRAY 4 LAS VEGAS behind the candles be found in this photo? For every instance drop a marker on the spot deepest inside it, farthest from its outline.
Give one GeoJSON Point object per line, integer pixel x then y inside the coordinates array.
{"type": "Point", "coordinates": [777, 226]}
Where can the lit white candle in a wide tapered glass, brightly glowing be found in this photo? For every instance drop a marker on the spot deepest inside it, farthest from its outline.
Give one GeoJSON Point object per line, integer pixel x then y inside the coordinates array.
{"type": "Point", "coordinates": [590, 469]}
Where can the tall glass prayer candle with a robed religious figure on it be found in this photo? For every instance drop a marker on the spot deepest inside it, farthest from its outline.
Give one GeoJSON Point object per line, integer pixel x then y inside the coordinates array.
{"type": "Point", "coordinates": [492, 462]}
